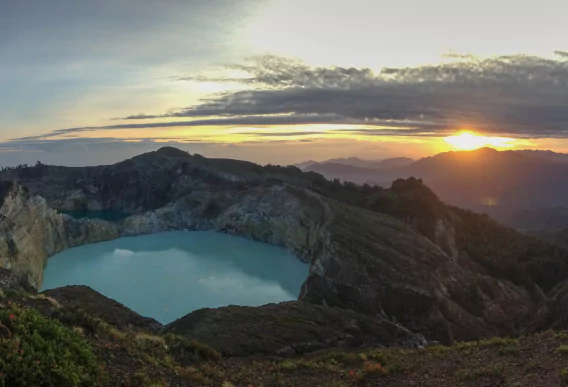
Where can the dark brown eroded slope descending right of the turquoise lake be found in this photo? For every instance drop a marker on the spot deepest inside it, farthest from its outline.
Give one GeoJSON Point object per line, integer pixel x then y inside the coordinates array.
{"type": "Point", "coordinates": [380, 265]}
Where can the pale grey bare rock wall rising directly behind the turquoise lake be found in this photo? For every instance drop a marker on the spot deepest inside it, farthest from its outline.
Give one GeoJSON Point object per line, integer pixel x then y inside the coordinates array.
{"type": "Point", "coordinates": [294, 218]}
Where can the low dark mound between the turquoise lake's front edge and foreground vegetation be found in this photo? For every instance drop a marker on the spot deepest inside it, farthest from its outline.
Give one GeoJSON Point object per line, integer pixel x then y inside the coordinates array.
{"type": "Point", "coordinates": [288, 329]}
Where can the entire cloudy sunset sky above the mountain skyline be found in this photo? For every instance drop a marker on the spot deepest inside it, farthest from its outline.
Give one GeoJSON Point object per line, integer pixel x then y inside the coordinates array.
{"type": "Point", "coordinates": [278, 81]}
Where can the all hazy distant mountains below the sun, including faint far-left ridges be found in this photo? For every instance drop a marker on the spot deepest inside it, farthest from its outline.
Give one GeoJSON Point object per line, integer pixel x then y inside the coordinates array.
{"type": "Point", "coordinates": [500, 183]}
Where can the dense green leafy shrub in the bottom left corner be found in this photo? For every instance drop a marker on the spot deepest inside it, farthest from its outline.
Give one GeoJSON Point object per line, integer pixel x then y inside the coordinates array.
{"type": "Point", "coordinates": [42, 352]}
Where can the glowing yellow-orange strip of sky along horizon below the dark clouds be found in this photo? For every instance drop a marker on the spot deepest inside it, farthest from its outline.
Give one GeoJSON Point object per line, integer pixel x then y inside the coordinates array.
{"type": "Point", "coordinates": [320, 142]}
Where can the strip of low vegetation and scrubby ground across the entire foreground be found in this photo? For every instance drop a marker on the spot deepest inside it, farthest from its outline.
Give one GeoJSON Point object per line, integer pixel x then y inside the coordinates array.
{"type": "Point", "coordinates": [44, 344]}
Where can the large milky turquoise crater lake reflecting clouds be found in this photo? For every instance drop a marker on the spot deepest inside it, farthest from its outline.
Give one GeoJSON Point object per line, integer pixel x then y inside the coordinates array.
{"type": "Point", "coordinates": [168, 275]}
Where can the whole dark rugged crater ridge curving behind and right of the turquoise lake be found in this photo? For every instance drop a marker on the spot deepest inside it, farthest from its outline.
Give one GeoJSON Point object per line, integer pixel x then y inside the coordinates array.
{"type": "Point", "coordinates": [398, 255]}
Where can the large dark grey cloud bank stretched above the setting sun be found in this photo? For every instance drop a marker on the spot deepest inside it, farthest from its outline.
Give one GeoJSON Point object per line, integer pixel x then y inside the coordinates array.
{"type": "Point", "coordinates": [522, 96]}
